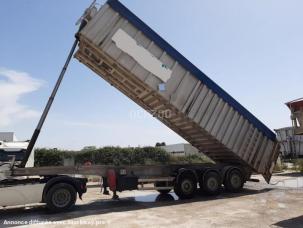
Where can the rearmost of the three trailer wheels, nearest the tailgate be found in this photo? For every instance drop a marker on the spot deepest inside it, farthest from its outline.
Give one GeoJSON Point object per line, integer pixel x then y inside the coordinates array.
{"type": "Point", "coordinates": [234, 181]}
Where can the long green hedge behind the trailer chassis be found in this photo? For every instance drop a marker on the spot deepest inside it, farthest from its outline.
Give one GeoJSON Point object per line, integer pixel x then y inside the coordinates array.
{"type": "Point", "coordinates": [114, 156]}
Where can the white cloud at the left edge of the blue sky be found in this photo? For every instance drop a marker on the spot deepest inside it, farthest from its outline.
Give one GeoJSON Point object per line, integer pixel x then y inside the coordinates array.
{"type": "Point", "coordinates": [14, 85]}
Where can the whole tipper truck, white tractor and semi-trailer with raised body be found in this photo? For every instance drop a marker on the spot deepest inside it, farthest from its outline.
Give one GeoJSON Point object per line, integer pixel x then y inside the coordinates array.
{"type": "Point", "coordinates": [124, 51]}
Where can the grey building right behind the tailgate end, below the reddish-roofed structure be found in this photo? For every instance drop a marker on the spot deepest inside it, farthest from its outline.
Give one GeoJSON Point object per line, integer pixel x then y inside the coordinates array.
{"type": "Point", "coordinates": [291, 144]}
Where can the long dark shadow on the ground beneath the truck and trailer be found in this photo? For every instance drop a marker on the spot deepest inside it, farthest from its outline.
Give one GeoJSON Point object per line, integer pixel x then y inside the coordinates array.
{"type": "Point", "coordinates": [104, 206]}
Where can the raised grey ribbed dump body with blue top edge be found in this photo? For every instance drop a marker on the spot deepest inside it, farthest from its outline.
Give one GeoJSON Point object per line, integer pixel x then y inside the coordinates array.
{"type": "Point", "coordinates": [128, 54]}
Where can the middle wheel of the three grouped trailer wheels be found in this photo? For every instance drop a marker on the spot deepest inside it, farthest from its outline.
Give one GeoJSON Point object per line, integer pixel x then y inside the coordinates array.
{"type": "Point", "coordinates": [210, 183]}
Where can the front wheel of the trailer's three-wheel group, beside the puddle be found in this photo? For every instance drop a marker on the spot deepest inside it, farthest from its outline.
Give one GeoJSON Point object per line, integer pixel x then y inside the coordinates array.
{"type": "Point", "coordinates": [186, 186]}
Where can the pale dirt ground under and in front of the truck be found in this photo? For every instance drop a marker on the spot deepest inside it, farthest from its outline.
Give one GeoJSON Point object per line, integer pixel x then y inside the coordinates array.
{"type": "Point", "coordinates": [279, 204]}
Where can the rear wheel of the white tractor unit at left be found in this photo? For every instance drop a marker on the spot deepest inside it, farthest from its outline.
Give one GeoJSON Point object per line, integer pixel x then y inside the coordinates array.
{"type": "Point", "coordinates": [61, 197]}
